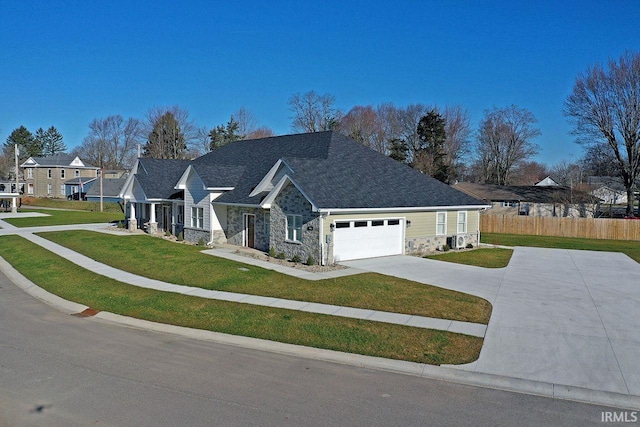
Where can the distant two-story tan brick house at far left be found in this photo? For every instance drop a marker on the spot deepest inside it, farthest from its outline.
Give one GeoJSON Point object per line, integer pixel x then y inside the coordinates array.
{"type": "Point", "coordinates": [47, 176]}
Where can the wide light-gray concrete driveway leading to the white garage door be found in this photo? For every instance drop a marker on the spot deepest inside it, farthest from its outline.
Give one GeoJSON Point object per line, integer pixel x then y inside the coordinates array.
{"type": "Point", "coordinates": [560, 316]}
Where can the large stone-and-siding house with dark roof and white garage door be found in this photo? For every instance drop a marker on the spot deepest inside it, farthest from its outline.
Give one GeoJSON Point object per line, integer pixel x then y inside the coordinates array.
{"type": "Point", "coordinates": [319, 195]}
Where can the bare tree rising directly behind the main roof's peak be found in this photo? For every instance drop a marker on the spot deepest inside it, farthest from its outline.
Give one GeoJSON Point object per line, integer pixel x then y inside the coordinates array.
{"type": "Point", "coordinates": [313, 112]}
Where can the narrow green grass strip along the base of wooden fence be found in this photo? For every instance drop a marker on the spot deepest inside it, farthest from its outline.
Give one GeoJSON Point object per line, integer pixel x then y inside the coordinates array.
{"type": "Point", "coordinates": [628, 247]}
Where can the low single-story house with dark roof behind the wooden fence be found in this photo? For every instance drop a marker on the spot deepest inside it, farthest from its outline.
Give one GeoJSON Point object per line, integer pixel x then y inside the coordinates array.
{"type": "Point", "coordinates": [533, 200]}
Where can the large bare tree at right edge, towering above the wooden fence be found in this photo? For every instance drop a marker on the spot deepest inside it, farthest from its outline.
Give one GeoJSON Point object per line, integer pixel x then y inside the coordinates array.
{"type": "Point", "coordinates": [605, 107]}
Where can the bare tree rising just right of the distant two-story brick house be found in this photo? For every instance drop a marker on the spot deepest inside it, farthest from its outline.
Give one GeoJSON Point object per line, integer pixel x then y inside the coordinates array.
{"type": "Point", "coordinates": [111, 142]}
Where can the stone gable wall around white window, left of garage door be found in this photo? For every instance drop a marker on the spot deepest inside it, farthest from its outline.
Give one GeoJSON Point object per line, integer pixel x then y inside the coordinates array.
{"type": "Point", "coordinates": [291, 202]}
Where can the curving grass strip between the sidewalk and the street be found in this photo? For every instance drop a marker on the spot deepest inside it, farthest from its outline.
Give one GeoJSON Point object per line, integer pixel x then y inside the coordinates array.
{"type": "Point", "coordinates": [63, 278]}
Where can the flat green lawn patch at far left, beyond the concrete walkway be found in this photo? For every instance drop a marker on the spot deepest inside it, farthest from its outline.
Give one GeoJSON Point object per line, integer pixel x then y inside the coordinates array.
{"type": "Point", "coordinates": [64, 217]}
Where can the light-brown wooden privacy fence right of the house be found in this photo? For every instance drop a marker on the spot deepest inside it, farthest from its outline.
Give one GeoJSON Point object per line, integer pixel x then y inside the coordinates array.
{"type": "Point", "coordinates": [590, 228]}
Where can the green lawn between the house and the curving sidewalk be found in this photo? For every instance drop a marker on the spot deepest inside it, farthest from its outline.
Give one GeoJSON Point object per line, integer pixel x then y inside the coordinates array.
{"type": "Point", "coordinates": [183, 264]}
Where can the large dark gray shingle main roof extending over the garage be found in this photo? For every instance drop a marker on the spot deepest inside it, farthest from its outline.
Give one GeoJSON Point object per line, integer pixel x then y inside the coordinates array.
{"type": "Point", "coordinates": [334, 171]}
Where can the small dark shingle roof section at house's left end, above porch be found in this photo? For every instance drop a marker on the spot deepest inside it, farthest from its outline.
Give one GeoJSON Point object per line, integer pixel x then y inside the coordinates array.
{"type": "Point", "coordinates": [158, 177]}
